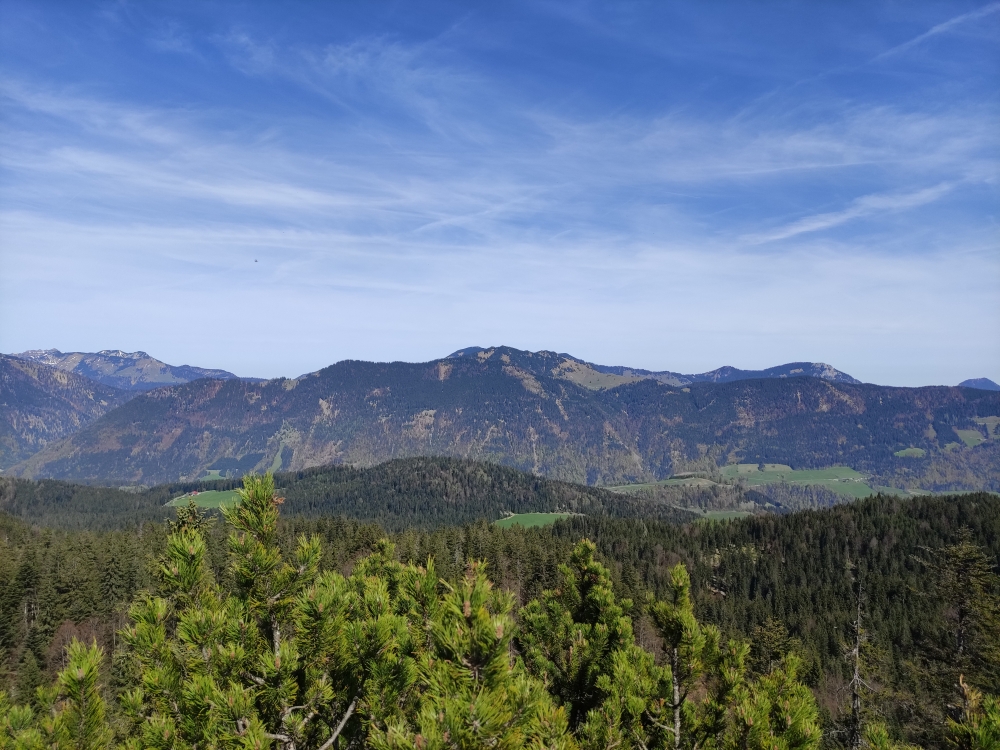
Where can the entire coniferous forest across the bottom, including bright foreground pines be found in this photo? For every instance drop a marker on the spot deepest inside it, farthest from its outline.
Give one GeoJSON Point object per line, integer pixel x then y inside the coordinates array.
{"type": "Point", "coordinates": [872, 624]}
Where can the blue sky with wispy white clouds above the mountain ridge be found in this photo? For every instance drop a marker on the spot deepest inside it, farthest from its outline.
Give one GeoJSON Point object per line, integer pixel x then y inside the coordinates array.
{"type": "Point", "coordinates": [273, 187]}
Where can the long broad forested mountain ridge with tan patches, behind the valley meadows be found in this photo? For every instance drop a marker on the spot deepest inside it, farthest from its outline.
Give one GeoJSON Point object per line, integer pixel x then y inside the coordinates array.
{"type": "Point", "coordinates": [539, 413]}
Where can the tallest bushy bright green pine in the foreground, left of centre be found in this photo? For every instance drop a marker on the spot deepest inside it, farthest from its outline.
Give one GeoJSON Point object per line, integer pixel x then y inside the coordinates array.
{"type": "Point", "coordinates": [292, 656]}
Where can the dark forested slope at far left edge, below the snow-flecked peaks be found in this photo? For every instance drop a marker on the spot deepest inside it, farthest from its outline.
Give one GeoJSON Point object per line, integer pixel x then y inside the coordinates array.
{"type": "Point", "coordinates": [40, 405]}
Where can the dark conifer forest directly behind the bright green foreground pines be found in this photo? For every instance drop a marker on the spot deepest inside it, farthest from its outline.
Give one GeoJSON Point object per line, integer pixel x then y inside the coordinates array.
{"type": "Point", "coordinates": [925, 569]}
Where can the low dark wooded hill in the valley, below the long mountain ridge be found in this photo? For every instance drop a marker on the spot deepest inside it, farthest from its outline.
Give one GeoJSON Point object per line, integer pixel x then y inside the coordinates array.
{"type": "Point", "coordinates": [423, 493]}
